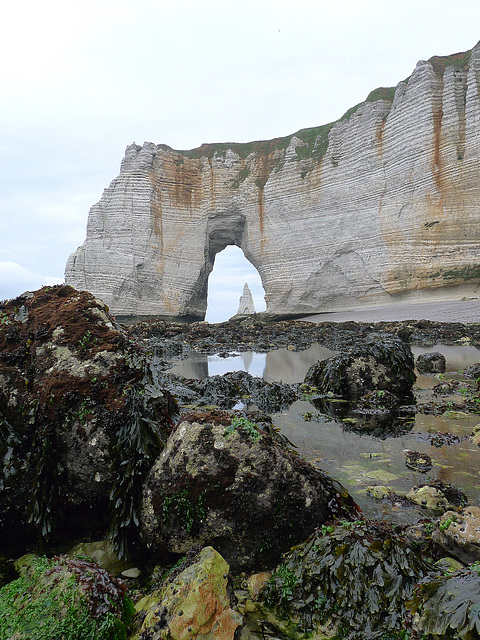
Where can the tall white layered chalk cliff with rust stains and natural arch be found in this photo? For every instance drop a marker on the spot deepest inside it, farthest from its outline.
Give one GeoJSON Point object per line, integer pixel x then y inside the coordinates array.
{"type": "Point", "coordinates": [383, 203]}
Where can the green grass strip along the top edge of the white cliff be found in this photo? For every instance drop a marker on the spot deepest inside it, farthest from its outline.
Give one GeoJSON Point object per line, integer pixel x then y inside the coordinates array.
{"type": "Point", "coordinates": [315, 138]}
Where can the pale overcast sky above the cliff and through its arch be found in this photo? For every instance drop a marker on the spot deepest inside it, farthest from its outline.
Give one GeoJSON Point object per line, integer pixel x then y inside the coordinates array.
{"type": "Point", "coordinates": [82, 80]}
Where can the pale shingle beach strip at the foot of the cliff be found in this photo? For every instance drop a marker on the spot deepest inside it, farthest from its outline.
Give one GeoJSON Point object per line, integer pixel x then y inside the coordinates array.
{"type": "Point", "coordinates": [464, 311]}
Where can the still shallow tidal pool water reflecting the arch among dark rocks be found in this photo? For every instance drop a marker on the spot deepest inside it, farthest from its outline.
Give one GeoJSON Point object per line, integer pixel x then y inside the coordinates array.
{"type": "Point", "coordinates": [361, 460]}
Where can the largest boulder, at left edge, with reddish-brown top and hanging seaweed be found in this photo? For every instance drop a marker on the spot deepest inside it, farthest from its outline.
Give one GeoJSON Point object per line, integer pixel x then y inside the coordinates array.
{"type": "Point", "coordinates": [81, 421]}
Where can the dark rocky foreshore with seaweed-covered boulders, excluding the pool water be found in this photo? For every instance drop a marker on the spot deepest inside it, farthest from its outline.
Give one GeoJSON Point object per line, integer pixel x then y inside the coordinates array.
{"type": "Point", "coordinates": [138, 504]}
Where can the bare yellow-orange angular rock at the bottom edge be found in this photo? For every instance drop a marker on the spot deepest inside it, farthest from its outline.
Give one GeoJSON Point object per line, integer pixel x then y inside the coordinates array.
{"type": "Point", "coordinates": [194, 604]}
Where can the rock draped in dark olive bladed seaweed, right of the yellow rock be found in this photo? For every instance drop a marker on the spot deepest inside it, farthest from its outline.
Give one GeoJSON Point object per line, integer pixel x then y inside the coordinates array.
{"type": "Point", "coordinates": [355, 576]}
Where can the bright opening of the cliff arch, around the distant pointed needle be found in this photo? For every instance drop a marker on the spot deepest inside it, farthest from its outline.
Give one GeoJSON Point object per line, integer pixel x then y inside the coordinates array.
{"type": "Point", "coordinates": [231, 270]}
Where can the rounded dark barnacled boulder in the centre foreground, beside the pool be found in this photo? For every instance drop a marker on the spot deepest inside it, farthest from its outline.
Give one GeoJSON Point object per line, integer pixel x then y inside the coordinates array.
{"type": "Point", "coordinates": [223, 481]}
